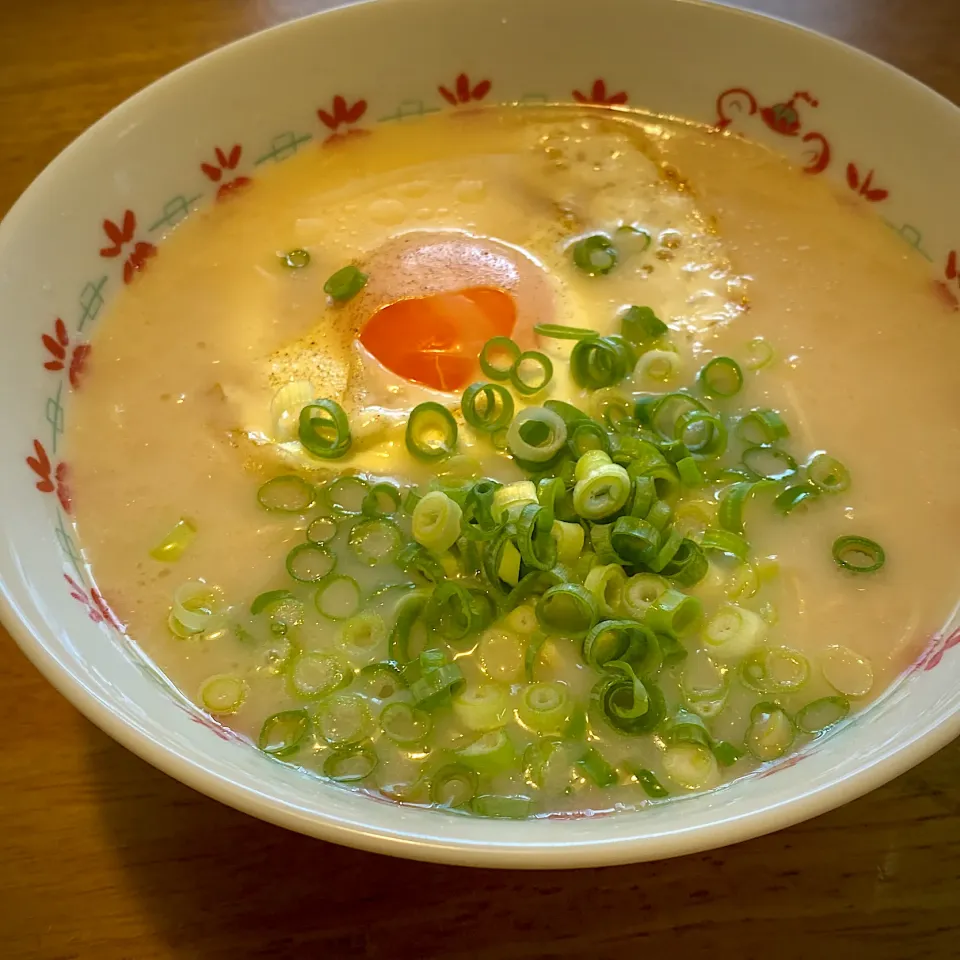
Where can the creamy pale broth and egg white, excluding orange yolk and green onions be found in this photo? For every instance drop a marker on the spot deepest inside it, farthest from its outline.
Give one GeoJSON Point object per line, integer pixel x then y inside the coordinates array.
{"type": "Point", "coordinates": [174, 419]}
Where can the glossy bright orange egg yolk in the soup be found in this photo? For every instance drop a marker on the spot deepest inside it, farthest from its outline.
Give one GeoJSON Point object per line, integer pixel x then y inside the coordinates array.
{"type": "Point", "coordinates": [435, 340]}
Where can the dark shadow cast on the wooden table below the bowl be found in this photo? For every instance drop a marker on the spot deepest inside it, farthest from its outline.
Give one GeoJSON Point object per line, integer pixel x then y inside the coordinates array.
{"type": "Point", "coordinates": [221, 884]}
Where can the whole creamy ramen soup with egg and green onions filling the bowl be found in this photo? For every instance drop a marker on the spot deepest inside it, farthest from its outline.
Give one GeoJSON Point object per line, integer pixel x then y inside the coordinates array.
{"type": "Point", "coordinates": [526, 461]}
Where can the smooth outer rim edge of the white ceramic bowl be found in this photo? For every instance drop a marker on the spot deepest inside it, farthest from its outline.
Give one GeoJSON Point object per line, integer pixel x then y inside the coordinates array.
{"type": "Point", "coordinates": [529, 855]}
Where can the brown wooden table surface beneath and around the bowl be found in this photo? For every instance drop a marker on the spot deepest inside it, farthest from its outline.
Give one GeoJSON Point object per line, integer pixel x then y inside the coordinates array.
{"type": "Point", "coordinates": [102, 856]}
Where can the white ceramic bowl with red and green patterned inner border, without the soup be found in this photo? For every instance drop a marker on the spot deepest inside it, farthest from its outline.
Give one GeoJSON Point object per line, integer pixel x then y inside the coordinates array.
{"type": "Point", "coordinates": [93, 217]}
